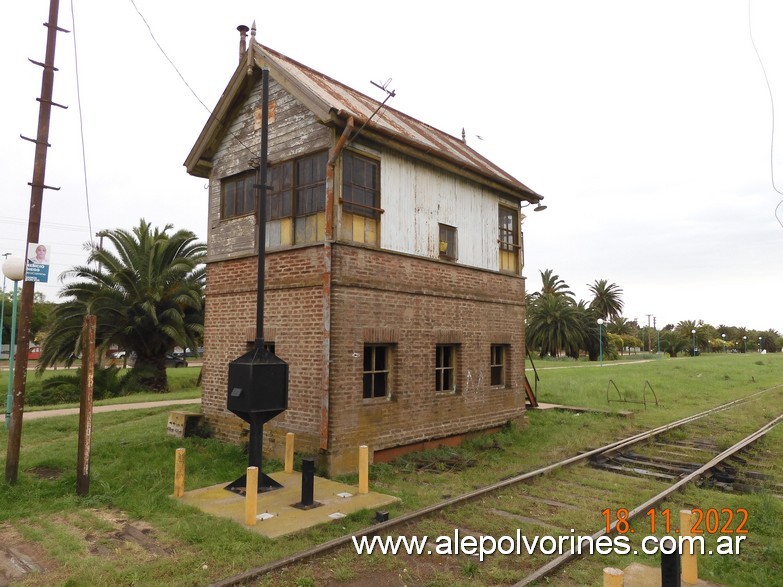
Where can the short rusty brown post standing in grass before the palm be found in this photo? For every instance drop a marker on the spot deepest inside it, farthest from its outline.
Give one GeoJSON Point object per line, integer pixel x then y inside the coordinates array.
{"type": "Point", "coordinates": [85, 407]}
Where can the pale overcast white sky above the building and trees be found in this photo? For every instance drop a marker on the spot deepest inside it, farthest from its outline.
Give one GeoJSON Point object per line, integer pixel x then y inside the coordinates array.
{"type": "Point", "coordinates": [647, 126]}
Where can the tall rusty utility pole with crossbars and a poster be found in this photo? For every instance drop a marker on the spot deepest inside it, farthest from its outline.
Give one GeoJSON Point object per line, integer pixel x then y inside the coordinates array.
{"type": "Point", "coordinates": [33, 229]}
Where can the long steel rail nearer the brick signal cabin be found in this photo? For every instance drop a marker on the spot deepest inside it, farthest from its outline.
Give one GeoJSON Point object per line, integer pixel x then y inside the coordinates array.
{"type": "Point", "coordinates": [255, 572]}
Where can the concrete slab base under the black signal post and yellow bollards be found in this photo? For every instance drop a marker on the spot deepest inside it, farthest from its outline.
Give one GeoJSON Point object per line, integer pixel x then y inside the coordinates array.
{"type": "Point", "coordinates": [277, 515]}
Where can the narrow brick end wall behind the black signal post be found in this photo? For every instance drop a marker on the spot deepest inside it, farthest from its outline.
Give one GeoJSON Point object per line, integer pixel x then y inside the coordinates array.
{"type": "Point", "coordinates": [293, 319]}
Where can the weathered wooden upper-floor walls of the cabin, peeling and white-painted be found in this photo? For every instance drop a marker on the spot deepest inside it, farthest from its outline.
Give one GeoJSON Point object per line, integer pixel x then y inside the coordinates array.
{"type": "Point", "coordinates": [416, 197]}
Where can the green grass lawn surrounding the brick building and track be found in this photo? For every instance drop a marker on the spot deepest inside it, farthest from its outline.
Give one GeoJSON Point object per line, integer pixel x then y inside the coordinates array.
{"type": "Point", "coordinates": [132, 475]}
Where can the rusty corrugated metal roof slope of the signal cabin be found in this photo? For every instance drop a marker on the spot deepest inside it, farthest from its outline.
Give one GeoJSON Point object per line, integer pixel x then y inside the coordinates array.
{"type": "Point", "coordinates": [344, 101]}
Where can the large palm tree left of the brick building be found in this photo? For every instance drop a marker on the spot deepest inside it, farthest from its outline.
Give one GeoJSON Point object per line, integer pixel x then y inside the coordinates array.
{"type": "Point", "coordinates": [147, 296]}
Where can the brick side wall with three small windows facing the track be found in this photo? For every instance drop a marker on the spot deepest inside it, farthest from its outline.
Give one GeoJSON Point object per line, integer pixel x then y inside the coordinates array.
{"type": "Point", "coordinates": [416, 304]}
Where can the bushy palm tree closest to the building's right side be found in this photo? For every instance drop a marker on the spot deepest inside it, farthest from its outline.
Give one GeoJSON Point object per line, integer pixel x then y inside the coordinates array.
{"type": "Point", "coordinates": [554, 326]}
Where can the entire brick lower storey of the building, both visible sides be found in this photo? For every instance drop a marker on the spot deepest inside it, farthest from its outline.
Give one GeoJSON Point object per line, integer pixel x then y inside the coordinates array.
{"type": "Point", "coordinates": [408, 302]}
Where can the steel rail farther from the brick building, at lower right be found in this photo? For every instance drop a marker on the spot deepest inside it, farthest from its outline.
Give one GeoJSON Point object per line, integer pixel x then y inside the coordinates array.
{"type": "Point", "coordinates": [561, 560]}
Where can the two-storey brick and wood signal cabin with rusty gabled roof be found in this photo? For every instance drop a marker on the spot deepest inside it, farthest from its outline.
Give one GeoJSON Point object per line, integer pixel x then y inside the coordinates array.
{"type": "Point", "coordinates": [393, 268]}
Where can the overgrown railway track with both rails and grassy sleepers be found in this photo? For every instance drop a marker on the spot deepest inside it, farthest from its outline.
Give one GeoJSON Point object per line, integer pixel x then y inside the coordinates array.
{"type": "Point", "coordinates": [584, 495]}
